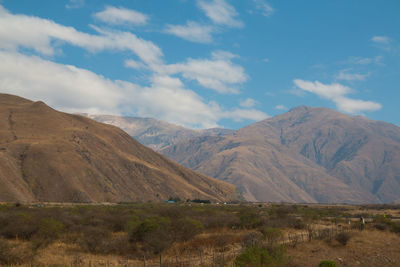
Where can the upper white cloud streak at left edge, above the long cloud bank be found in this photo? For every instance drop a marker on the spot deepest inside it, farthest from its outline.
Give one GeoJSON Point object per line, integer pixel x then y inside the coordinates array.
{"type": "Point", "coordinates": [39, 34]}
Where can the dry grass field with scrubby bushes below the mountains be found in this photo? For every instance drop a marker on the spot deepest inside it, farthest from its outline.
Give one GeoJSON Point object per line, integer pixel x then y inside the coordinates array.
{"type": "Point", "coordinates": [189, 234]}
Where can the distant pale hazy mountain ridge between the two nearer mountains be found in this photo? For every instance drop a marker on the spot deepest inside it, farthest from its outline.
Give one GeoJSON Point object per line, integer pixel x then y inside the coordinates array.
{"type": "Point", "coordinates": [154, 133]}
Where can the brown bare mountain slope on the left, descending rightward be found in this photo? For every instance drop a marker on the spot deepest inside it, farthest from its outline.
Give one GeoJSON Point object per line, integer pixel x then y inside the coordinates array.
{"type": "Point", "coordinates": [46, 155]}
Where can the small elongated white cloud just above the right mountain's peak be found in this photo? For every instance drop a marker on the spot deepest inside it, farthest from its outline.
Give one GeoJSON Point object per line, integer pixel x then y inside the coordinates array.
{"type": "Point", "coordinates": [337, 93]}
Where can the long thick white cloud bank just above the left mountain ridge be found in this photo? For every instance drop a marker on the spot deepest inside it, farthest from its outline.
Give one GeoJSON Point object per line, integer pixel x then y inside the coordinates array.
{"type": "Point", "coordinates": [167, 99]}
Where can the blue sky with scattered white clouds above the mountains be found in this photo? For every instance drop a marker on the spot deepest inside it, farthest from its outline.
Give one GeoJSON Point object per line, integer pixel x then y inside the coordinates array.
{"type": "Point", "coordinates": [203, 63]}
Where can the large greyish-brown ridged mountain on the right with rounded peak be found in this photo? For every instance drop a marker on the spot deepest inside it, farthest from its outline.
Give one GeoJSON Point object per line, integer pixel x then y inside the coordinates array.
{"type": "Point", "coordinates": [305, 155]}
